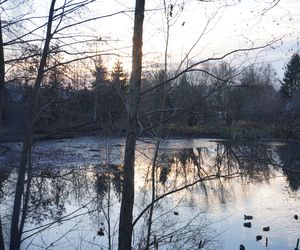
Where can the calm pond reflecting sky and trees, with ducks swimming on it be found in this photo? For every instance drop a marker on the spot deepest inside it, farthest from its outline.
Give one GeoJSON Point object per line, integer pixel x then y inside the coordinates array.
{"type": "Point", "coordinates": [75, 193]}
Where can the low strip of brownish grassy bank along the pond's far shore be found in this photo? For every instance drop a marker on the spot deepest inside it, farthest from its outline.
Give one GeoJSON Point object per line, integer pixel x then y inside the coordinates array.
{"type": "Point", "coordinates": [239, 130]}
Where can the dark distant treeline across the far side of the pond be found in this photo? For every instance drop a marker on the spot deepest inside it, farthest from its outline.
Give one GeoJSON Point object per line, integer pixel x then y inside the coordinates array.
{"type": "Point", "coordinates": [216, 100]}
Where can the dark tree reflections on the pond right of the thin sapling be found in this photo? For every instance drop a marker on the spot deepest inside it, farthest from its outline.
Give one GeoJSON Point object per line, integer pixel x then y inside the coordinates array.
{"type": "Point", "coordinates": [255, 162]}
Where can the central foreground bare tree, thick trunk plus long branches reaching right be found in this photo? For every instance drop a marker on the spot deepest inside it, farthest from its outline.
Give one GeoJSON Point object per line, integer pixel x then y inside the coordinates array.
{"type": "Point", "coordinates": [125, 226]}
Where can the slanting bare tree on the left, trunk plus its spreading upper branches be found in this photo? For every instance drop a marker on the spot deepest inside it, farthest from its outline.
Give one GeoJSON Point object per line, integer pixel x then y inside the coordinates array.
{"type": "Point", "coordinates": [55, 17]}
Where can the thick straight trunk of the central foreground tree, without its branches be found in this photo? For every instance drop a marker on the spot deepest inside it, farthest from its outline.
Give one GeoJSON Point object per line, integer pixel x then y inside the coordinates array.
{"type": "Point", "coordinates": [125, 225]}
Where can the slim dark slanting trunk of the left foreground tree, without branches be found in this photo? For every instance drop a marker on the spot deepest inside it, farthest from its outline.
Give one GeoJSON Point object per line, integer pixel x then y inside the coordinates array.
{"type": "Point", "coordinates": [15, 232]}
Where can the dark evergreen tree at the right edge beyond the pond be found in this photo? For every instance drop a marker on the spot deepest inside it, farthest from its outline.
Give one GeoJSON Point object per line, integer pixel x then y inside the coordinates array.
{"type": "Point", "coordinates": [291, 80]}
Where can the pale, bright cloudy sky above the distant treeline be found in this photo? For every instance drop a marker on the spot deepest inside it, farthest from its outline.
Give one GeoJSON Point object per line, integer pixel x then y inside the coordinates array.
{"type": "Point", "coordinates": [221, 25]}
